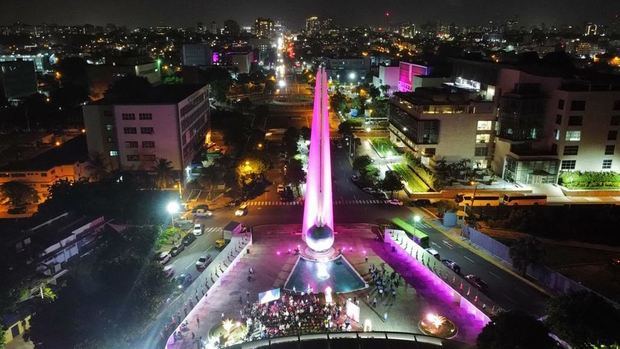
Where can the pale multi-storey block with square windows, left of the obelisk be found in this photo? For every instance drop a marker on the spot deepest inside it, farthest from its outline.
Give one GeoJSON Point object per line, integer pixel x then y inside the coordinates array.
{"type": "Point", "coordinates": [170, 123]}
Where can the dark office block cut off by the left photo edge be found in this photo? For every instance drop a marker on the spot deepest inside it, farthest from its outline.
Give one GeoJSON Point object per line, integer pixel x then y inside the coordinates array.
{"type": "Point", "coordinates": [18, 79]}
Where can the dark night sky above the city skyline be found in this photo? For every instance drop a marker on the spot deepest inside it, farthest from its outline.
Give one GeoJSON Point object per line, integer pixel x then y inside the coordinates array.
{"type": "Point", "coordinates": [292, 12]}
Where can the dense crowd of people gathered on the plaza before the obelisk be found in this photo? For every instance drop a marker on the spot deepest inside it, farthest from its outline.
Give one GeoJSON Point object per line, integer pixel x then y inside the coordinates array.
{"type": "Point", "coordinates": [292, 314]}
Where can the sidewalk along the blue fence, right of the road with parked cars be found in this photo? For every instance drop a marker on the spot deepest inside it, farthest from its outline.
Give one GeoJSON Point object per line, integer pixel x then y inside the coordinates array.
{"type": "Point", "coordinates": [454, 234]}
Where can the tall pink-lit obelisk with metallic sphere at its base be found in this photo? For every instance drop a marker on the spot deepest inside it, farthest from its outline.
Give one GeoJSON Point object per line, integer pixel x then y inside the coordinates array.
{"type": "Point", "coordinates": [318, 224]}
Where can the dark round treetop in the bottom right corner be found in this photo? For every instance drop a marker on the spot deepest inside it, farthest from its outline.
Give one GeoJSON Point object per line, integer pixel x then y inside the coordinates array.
{"type": "Point", "coordinates": [584, 319]}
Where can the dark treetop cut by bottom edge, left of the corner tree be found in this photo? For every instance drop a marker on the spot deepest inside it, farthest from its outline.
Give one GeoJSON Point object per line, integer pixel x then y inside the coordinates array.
{"type": "Point", "coordinates": [514, 330]}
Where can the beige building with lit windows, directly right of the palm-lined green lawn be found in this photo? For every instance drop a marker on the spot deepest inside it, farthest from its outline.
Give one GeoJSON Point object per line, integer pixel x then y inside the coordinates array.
{"type": "Point", "coordinates": [443, 123]}
